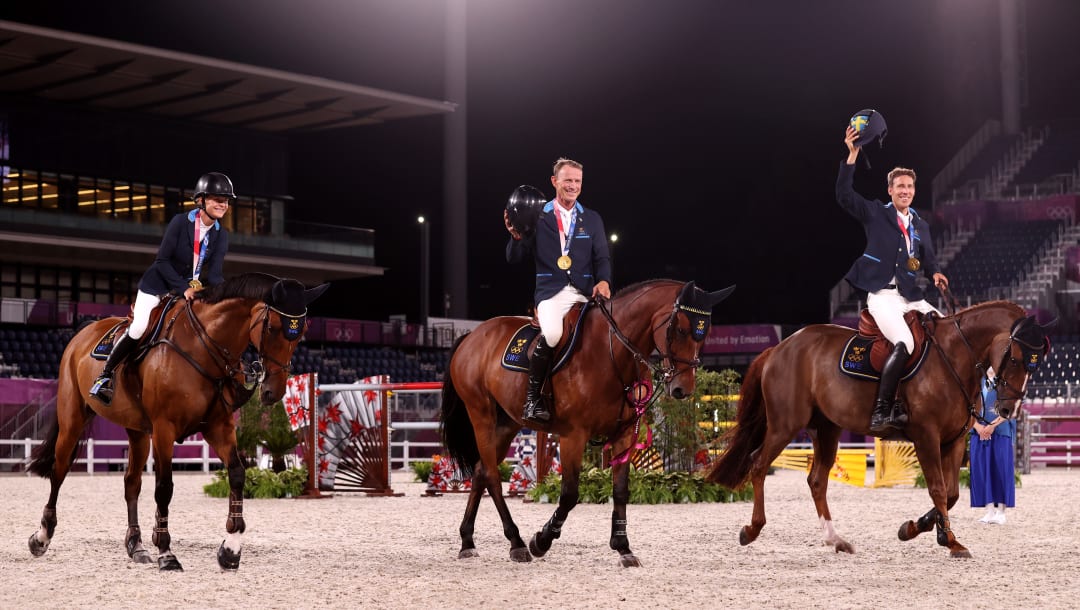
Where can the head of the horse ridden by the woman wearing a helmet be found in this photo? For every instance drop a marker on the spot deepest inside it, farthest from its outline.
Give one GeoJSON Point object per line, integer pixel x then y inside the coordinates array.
{"type": "Point", "coordinates": [285, 320]}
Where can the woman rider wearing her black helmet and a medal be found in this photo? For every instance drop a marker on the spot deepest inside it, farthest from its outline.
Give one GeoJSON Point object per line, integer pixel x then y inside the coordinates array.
{"type": "Point", "coordinates": [190, 259]}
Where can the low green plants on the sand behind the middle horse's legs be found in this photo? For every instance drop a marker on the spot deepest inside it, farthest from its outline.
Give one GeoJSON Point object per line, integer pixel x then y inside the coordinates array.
{"type": "Point", "coordinates": [646, 487]}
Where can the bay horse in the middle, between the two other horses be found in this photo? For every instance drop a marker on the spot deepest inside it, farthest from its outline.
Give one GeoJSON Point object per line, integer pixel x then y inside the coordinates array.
{"type": "Point", "coordinates": [593, 394]}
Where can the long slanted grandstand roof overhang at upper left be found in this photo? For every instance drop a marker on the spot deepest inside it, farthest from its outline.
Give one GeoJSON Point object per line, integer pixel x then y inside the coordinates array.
{"type": "Point", "coordinates": [73, 69]}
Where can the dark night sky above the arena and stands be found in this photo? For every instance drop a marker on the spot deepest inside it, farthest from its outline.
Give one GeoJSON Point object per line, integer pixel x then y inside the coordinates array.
{"type": "Point", "coordinates": [710, 131]}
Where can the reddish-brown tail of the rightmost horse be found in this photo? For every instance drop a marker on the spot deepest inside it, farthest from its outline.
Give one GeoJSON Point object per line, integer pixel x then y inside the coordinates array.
{"type": "Point", "coordinates": [744, 441]}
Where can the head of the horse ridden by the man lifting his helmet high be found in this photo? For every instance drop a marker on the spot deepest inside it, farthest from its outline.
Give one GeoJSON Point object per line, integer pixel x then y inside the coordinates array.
{"type": "Point", "coordinates": [1022, 351]}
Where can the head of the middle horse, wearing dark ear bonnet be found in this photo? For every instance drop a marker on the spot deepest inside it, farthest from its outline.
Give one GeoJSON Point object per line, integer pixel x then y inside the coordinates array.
{"type": "Point", "coordinates": [684, 335]}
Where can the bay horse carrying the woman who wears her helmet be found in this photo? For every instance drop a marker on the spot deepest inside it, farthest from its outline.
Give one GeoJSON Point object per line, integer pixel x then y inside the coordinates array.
{"type": "Point", "coordinates": [191, 379]}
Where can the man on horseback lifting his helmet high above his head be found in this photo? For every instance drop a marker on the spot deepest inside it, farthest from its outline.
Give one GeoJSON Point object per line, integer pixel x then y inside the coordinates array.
{"type": "Point", "coordinates": [898, 247]}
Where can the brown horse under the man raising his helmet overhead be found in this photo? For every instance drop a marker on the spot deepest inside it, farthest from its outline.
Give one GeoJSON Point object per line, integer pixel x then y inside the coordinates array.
{"type": "Point", "coordinates": [799, 385]}
